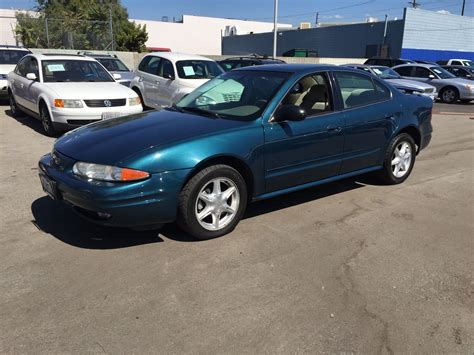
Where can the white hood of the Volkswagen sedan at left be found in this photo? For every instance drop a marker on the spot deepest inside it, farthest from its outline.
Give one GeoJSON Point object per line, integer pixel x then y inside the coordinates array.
{"type": "Point", "coordinates": [90, 90]}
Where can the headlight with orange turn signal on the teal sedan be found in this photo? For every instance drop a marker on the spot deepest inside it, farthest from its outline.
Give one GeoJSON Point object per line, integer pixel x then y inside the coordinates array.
{"type": "Point", "coordinates": [107, 172]}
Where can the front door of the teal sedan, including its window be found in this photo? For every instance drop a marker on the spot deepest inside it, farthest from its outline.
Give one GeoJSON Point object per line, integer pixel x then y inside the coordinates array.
{"type": "Point", "coordinates": [299, 152]}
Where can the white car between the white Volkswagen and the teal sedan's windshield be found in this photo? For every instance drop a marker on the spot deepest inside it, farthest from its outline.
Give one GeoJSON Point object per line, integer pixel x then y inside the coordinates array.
{"type": "Point", "coordinates": [162, 78]}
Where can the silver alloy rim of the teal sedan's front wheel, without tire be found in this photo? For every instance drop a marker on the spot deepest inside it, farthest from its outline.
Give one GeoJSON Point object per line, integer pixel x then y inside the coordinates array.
{"type": "Point", "coordinates": [217, 204]}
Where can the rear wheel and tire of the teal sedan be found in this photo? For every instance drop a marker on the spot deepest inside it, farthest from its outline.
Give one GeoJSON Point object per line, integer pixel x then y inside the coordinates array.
{"type": "Point", "coordinates": [399, 160]}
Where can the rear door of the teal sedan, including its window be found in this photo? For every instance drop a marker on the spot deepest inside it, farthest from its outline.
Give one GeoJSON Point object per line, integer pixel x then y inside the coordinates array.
{"type": "Point", "coordinates": [370, 116]}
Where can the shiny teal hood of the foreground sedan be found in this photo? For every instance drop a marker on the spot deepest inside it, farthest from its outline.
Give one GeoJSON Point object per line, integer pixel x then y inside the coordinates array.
{"type": "Point", "coordinates": [112, 141]}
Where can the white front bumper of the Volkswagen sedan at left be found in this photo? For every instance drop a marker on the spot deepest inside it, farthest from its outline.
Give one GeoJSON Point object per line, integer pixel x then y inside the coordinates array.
{"type": "Point", "coordinates": [79, 116]}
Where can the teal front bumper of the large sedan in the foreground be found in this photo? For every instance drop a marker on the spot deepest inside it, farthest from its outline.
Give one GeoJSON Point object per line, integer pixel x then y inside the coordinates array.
{"type": "Point", "coordinates": [134, 204]}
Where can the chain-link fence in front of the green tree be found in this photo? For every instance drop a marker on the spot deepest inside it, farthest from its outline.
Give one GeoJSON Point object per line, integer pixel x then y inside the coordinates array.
{"type": "Point", "coordinates": [64, 33]}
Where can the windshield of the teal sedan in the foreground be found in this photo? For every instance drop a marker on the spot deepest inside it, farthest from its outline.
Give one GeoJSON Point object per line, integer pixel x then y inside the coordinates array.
{"type": "Point", "coordinates": [235, 95]}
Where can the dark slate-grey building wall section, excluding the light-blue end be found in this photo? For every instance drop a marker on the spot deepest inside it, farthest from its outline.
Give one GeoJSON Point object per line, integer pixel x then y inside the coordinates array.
{"type": "Point", "coordinates": [343, 41]}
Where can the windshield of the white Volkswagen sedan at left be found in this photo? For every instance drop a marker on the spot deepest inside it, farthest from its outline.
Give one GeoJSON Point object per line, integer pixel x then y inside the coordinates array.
{"type": "Point", "coordinates": [70, 70]}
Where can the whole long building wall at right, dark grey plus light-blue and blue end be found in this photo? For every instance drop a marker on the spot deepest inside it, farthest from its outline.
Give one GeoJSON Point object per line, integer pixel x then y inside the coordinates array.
{"type": "Point", "coordinates": [421, 34]}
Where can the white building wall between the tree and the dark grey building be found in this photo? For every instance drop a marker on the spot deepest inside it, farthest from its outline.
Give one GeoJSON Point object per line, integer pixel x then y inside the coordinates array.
{"type": "Point", "coordinates": [197, 34]}
